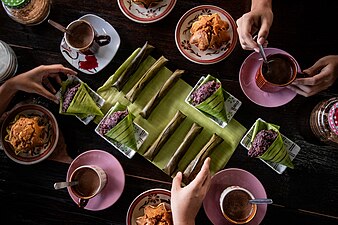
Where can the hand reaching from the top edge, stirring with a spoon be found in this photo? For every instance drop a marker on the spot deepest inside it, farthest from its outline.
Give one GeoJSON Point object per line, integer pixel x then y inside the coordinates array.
{"type": "Point", "coordinates": [259, 19]}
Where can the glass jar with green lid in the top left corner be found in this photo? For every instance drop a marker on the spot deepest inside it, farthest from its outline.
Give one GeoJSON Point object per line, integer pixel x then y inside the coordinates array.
{"type": "Point", "coordinates": [27, 12]}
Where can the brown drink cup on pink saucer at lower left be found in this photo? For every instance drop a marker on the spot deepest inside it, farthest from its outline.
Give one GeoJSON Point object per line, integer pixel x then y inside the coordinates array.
{"type": "Point", "coordinates": [91, 181]}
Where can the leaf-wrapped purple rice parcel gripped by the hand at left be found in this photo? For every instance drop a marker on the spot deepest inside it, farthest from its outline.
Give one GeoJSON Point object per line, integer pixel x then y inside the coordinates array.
{"type": "Point", "coordinates": [76, 100]}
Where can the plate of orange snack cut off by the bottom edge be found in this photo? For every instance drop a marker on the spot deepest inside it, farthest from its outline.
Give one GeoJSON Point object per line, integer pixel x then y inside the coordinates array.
{"type": "Point", "coordinates": [152, 205]}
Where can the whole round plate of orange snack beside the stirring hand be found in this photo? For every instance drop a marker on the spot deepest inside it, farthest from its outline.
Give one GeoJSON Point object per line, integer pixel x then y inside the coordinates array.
{"type": "Point", "coordinates": [193, 39]}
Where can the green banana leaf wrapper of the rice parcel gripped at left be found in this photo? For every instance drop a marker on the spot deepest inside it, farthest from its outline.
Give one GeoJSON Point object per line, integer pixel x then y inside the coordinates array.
{"type": "Point", "coordinates": [82, 104]}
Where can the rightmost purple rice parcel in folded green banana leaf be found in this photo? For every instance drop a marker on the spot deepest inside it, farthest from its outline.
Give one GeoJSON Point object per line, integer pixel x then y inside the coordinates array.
{"type": "Point", "coordinates": [267, 144]}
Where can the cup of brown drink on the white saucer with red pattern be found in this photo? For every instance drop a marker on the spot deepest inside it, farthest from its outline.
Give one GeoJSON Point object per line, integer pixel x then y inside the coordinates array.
{"type": "Point", "coordinates": [83, 37]}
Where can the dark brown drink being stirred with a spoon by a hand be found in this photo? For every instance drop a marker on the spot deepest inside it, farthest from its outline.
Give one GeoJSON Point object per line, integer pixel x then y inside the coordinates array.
{"type": "Point", "coordinates": [279, 70]}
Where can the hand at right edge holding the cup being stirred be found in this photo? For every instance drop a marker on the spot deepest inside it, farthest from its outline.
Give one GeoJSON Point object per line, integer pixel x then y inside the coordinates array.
{"type": "Point", "coordinates": [321, 76]}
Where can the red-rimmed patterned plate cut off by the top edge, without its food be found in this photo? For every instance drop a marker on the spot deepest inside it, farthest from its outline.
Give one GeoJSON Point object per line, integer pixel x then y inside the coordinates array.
{"type": "Point", "coordinates": [140, 14]}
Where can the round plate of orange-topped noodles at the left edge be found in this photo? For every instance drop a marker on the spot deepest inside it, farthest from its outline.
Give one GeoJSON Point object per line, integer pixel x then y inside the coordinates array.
{"type": "Point", "coordinates": [29, 134]}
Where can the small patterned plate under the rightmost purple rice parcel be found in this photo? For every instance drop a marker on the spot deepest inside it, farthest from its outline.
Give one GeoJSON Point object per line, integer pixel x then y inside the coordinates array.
{"type": "Point", "coordinates": [290, 146]}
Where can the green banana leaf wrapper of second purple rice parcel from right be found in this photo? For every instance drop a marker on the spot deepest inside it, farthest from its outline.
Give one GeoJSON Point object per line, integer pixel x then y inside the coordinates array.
{"type": "Point", "coordinates": [214, 104]}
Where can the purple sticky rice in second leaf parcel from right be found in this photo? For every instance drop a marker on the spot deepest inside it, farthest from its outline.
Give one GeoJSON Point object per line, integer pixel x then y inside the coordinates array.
{"type": "Point", "coordinates": [205, 91]}
